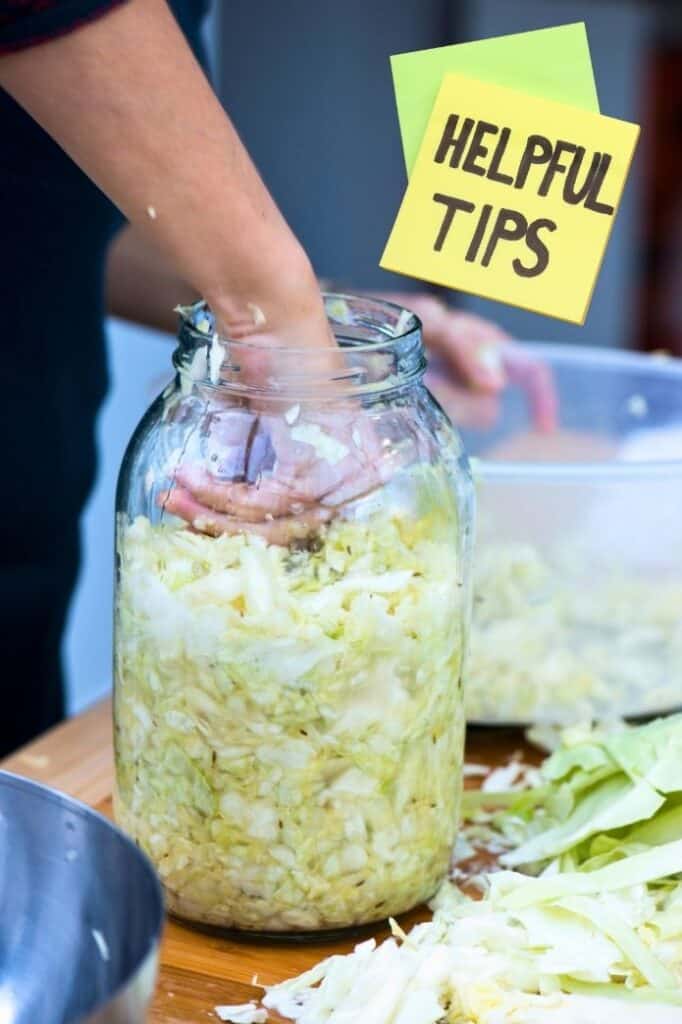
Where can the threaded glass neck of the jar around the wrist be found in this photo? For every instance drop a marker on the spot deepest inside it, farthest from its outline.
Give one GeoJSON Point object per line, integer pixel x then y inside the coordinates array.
{"type": "Point", "coordinates": [381, 340]}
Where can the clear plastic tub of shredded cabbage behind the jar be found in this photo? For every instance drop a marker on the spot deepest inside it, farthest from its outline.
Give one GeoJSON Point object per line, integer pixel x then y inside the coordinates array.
{"type": "Point", "coordinates": [578, 608]}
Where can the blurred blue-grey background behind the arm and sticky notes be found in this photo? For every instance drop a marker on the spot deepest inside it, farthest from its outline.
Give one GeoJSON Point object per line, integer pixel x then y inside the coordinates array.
{"type": "Point", "coordinates": [309, 87]}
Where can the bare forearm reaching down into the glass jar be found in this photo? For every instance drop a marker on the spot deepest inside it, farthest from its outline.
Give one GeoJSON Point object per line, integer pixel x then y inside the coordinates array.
{"type": "Point", "coordinates": [125, 98]}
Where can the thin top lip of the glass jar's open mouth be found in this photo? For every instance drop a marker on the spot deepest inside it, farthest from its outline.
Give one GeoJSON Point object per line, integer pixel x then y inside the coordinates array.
{"type": "Point", "coordinates": [408, 323]}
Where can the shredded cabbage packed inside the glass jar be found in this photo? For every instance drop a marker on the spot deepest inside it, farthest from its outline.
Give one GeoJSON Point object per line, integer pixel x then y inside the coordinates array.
{"type": "Point", "coordinates": [289, 723]}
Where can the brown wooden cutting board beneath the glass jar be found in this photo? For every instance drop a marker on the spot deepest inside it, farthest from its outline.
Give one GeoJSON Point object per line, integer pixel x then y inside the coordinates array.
{"type": "Point", "coordinates": [199, 970]}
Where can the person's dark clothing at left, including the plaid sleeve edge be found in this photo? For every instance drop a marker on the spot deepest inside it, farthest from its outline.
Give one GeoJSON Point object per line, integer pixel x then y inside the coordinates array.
{"type": "Point", "coordinates": [55, 231]}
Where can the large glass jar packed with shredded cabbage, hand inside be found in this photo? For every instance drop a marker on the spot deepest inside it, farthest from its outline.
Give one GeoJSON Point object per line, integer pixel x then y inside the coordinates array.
{"type": "Point", "coordinates": [292, 609]}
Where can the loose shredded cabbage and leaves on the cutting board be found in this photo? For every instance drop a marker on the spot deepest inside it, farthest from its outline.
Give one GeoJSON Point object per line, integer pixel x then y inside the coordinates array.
{"type": "Point", "coordinates": [592, 934]}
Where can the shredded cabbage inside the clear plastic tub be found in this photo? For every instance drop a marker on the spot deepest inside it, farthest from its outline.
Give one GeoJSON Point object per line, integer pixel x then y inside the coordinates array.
{"type": "Point", "coordinates": [559, 644]}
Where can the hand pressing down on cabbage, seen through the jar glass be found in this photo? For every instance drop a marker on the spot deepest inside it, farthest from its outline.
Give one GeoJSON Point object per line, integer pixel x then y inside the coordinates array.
{"type": "Point", "coordinates": [278, 477]}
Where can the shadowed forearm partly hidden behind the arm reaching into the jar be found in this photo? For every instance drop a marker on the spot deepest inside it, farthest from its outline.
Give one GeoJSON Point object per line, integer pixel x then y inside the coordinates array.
{"type": "Point", "coordinates": [142, 285]}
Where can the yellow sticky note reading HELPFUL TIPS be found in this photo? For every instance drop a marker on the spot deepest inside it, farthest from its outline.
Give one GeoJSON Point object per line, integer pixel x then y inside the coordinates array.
{"type": "Point", "coordinates": [514, 198]}
